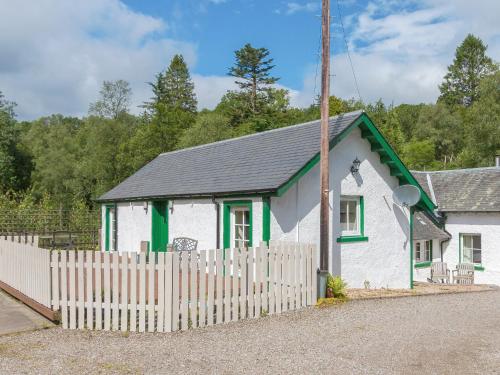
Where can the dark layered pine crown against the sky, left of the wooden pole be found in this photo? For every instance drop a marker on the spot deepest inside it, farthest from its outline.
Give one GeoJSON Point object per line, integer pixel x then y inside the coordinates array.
{"type": "Point", "coordinates": [252, 70]}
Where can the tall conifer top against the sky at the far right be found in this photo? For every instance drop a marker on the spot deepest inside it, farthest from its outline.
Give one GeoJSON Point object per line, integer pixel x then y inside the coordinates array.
{"type": "Point", "coordinates": [461, 83]}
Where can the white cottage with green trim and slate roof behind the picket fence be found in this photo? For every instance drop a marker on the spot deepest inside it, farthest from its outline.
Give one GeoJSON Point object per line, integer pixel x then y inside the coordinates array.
{"type": "Point", "coordinates": [248, 190]}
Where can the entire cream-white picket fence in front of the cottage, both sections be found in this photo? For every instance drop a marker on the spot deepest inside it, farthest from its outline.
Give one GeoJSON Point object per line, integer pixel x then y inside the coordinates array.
{"type": "Point", "coordinates": [162, 292]}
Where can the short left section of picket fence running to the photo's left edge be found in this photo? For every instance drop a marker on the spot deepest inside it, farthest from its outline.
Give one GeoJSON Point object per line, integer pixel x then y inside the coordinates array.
{"type": "Point", "coordinates": [25, 267]}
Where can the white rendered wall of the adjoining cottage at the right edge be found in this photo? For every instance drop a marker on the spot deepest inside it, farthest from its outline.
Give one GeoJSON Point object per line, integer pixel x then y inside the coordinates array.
{"type": "Point", "coordinates": [486, 224]}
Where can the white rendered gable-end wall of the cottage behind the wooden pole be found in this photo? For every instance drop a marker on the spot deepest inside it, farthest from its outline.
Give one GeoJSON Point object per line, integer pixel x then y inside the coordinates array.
{"type": "Point", "coordinates": [384, 260]}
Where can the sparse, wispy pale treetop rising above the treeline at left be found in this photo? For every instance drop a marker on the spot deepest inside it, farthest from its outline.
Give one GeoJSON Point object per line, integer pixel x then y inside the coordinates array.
{"type": "Point", "coordinates": [114, 99]}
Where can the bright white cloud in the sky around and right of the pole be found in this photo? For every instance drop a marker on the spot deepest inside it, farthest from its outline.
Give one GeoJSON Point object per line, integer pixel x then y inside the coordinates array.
{"type": "Point", "coordinates": [401, 55]}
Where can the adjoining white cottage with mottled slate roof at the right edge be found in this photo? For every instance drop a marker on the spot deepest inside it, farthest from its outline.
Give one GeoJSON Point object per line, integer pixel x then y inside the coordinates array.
{"type": "Point", "coordinates": [468, 202]}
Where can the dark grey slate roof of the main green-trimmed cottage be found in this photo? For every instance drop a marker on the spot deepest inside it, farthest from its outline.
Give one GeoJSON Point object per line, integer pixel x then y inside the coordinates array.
{"type": "Point", "coordinates": [255, 163]}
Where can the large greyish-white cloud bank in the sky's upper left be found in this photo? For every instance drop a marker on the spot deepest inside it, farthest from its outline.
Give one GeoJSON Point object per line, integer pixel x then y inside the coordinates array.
{"type": "Point", "coordinates": [55, 53]}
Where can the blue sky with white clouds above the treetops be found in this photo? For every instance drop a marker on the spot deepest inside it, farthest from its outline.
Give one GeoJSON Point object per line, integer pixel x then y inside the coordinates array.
{"type": "Point", "coordinates": [55, 53]}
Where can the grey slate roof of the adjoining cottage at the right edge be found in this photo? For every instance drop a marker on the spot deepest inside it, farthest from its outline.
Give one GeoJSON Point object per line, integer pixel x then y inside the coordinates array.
{"type": "Point", "coordinates": [463, 190]}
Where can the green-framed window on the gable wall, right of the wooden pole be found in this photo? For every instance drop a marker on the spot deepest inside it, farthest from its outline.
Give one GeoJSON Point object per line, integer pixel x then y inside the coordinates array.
{"type": "Point", "coordinates": [352, 223]}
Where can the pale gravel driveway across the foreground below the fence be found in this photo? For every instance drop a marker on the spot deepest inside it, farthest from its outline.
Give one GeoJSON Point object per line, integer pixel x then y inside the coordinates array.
{"type": "Point", "coordinates": [445, 334]}
